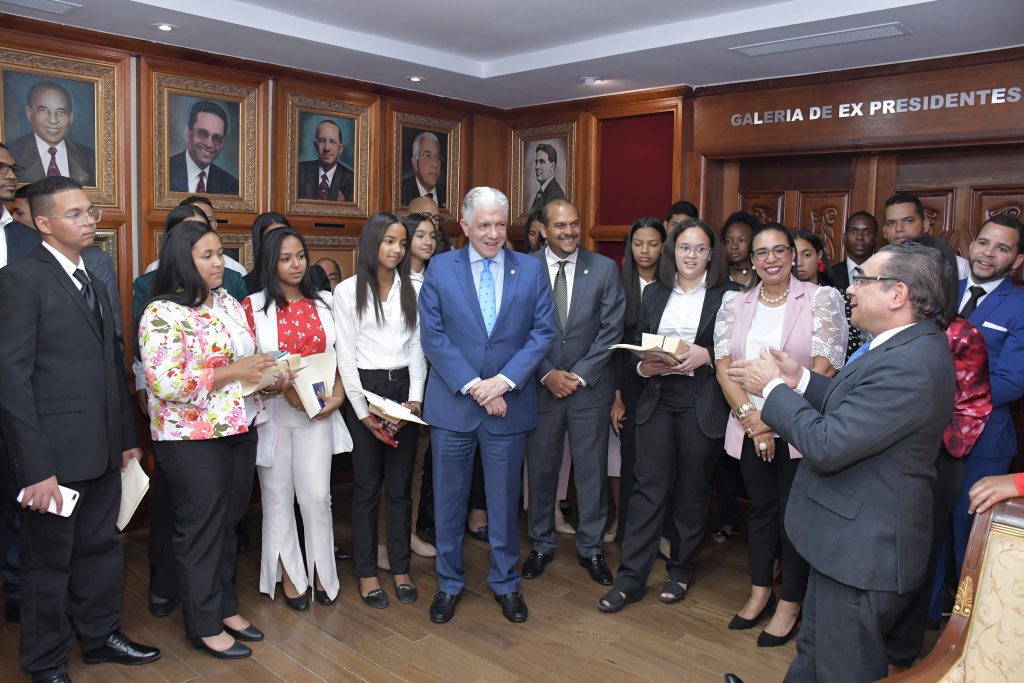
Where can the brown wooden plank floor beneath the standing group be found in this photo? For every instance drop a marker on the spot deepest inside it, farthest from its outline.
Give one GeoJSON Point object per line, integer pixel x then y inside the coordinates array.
{"type": "Point", "coordinates": [566, 639]}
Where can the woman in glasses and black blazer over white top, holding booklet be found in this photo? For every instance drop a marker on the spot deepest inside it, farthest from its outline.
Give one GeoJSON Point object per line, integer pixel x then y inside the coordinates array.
{"type": "Point", "coordinates": [680, 416]}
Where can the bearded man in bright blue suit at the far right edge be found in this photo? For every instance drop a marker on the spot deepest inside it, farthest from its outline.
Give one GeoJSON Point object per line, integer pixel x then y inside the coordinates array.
{"type": "Point", "coordinates": [992, 302]}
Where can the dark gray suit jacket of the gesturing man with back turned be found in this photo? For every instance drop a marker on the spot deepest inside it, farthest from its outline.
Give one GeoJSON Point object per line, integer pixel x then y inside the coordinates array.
{"type": "Point", "coordinates": [861, 508]}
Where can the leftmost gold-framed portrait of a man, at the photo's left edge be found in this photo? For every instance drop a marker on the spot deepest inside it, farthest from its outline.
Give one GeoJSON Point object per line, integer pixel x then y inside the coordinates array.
{"type": "Point", "coordinates": [58, 116]}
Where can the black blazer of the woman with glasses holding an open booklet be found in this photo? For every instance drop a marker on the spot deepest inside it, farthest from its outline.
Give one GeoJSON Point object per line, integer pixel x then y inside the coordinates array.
{"type": "Point", "coordinates": [713, 411]}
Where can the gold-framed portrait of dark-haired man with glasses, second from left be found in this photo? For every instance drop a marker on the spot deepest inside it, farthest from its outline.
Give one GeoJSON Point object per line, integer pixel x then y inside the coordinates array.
{"type": "Point", "coordinates": [205, 142]}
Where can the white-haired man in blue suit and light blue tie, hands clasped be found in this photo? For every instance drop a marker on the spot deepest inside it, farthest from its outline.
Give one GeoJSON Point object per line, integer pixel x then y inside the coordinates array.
{"type": "Point", "coordinates": [487, 322]}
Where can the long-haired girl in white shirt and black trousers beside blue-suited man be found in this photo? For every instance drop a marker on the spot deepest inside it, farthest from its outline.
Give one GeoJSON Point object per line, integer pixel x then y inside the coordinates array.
{"type": "Point", "coordinates": [379, 352]}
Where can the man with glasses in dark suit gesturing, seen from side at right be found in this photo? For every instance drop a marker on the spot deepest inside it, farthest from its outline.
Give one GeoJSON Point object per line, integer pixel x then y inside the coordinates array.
{"type": "Point", "coordinates": [861, 509]}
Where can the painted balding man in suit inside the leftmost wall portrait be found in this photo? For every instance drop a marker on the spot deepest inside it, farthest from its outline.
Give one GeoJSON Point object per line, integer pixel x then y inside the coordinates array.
{"type": "Point", "coordinates": [49, 151]}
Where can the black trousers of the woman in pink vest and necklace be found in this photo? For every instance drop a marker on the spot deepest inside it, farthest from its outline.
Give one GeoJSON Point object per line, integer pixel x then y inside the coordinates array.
{"type": "Point", "coordinates": [769, 486]}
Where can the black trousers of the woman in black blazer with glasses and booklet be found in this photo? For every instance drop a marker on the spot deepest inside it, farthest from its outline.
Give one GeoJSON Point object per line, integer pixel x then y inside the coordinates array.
{"type": "Point", "coordinates": [673, 474]}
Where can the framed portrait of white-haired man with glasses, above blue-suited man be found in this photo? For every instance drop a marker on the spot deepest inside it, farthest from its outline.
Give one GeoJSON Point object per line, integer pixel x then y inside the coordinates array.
{"type": "Point", "coordinates": [428, 154]}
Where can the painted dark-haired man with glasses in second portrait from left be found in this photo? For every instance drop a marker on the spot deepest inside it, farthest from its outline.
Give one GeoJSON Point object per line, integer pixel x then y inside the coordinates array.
{"type": "Point", "coordinates": [193, 170]}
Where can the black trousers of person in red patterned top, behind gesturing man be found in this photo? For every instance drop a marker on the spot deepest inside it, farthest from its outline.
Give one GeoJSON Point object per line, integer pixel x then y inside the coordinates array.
{"type": "Point", "coordinates": [908, 634]}
